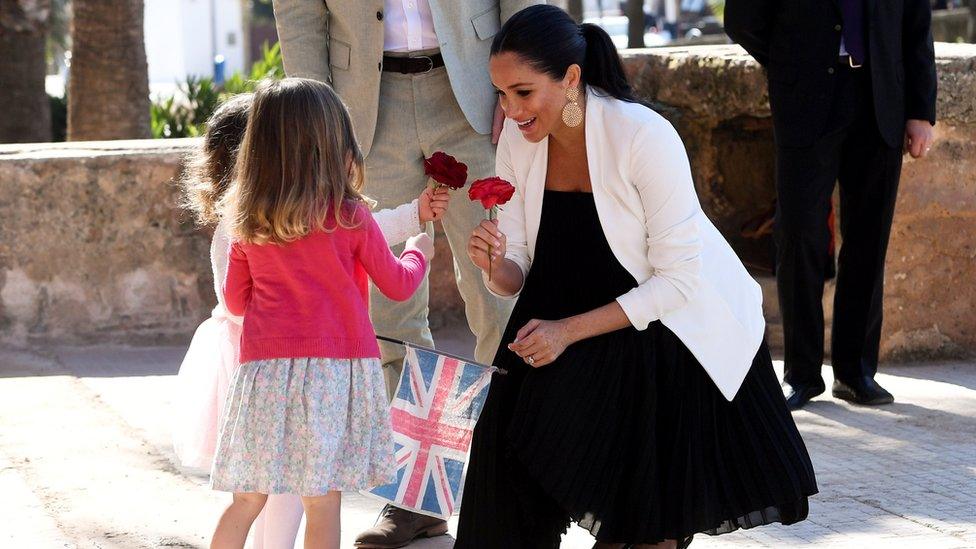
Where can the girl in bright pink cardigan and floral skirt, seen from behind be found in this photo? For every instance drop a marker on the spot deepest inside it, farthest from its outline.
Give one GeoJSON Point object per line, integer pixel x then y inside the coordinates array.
{"type": "Point", "coordinates": [307, 411]}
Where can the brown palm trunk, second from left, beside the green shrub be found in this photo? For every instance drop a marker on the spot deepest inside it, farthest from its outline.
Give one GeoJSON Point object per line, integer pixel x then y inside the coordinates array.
{"type": "Point", "coordinates": [108, 89]}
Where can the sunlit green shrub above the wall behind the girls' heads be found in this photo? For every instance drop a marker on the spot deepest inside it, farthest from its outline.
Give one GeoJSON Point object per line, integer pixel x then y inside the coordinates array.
{"type": "Point", "coordinates": [184, 115]}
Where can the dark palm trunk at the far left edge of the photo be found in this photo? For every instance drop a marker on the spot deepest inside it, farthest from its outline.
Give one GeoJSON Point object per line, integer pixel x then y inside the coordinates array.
{"type": "Point", "coordinates": [23, 32]}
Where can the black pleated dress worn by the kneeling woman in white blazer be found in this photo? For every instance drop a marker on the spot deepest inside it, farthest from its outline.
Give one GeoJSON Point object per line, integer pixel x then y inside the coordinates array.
{"type": "Point", "coordinates": [624, 433]}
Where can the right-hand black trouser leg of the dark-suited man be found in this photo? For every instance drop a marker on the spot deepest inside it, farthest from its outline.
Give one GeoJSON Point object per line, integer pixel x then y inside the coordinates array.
{"type": "Point", "coordinates": [868, 177]}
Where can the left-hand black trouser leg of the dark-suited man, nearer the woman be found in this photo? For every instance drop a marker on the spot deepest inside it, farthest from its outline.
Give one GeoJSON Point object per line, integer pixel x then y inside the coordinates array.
{"type": "Point", "coordinates": [805, 178]}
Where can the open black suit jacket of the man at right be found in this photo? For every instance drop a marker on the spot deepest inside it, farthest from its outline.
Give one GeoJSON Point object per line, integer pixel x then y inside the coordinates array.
{"type": "Point", "coordinates": [797, 41]}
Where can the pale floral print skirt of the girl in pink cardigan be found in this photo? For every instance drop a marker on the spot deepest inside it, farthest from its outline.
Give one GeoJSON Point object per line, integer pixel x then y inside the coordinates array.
{"type": "Point", "coordinates": [305, 426]}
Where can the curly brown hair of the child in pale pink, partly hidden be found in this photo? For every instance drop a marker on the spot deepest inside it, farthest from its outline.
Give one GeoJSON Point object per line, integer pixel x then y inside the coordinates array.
{"type": "Point", "coordinates": [210, 169]}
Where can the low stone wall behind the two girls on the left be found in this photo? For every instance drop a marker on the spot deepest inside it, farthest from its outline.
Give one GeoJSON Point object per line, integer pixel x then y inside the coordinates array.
{"type": "Point", "coordinates": [94, 248]}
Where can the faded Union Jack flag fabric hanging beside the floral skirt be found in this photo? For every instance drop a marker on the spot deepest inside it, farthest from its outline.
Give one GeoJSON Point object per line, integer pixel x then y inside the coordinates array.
{"type": "Point", "coordinates": [434, 411]}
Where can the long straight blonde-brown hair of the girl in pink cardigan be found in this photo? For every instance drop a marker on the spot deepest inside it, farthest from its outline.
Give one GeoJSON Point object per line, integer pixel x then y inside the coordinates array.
{"type": "Point", "coordinates": [299, 169]}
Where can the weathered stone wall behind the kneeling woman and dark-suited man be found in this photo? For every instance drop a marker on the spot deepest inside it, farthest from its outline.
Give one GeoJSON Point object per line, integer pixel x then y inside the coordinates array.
{"type": "Point", "coordinates": [716, 98]}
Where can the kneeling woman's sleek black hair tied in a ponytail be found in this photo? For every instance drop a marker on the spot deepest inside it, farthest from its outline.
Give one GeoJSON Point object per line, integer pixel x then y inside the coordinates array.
{"type": "Point", "coordinates": [565, 43]}
